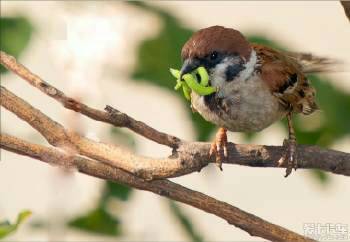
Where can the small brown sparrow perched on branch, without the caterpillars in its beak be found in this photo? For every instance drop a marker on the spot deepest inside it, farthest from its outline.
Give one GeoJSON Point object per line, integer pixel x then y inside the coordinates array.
{"type": "Point", "coordinates": [256, 86]}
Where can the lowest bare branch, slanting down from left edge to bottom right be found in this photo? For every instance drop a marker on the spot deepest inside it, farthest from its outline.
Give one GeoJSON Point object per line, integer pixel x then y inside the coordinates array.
{"type": "Point", "coordinates": [252, 224]}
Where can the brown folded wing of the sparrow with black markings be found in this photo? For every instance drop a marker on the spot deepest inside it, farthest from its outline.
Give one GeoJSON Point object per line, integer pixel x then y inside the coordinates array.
{"type": "Point", "coordinates": [285, 79]}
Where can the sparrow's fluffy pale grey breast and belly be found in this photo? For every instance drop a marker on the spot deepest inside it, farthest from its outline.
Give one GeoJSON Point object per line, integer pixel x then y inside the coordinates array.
{"type": "Point", "coordinates": [240, 106]}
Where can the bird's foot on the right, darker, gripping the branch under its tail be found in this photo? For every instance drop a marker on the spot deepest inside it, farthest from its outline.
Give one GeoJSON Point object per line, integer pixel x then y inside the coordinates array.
{"type": "Point", "coordinates": [289, 158]}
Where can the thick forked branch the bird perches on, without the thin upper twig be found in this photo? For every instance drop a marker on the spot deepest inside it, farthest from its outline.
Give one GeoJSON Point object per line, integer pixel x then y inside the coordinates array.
{"type": "Point", "coordinates": [189, 157]}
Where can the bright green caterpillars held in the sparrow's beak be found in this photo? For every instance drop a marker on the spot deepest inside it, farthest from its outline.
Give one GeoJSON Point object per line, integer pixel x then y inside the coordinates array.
{"type": "Point", "coordinates": [190, 82]}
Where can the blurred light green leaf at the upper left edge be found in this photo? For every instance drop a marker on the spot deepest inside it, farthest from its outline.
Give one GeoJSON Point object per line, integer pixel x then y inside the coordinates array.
{"type": "Point", "coordinates": [15, 33]}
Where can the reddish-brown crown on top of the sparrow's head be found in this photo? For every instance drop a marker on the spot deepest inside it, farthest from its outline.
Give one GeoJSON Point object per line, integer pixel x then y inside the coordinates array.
{"type": "Point", "coordinates": [216, 38]}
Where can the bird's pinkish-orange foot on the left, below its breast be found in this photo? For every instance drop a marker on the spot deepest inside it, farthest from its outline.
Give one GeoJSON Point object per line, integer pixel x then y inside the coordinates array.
{"type": "Point", "coordinates": [219, 147]}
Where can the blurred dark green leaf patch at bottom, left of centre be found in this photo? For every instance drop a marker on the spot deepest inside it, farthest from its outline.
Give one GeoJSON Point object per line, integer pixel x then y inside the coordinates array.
{"type": "Point", "coordinates": [97, 221]}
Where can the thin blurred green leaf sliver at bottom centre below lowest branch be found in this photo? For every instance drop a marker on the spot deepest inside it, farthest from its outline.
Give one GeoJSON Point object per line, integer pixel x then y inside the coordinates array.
{"type": "Point", "coordinates": [185, 221]}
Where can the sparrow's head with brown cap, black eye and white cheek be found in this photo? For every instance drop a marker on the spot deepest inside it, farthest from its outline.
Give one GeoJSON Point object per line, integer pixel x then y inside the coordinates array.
{"type": "Point", "coordinates": [224, 52]}
